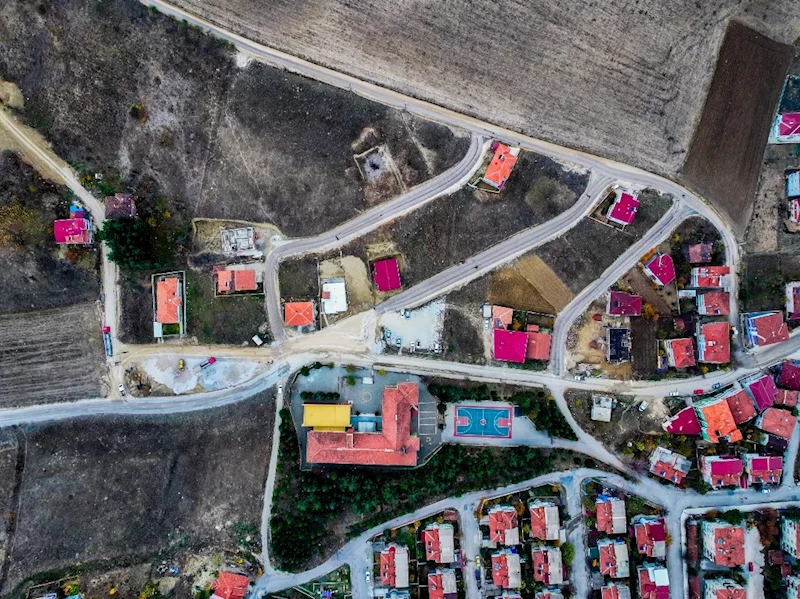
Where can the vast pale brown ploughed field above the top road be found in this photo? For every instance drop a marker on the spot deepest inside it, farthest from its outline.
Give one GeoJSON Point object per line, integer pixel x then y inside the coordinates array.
{"type": "Point", "coordinates": [633, 97]}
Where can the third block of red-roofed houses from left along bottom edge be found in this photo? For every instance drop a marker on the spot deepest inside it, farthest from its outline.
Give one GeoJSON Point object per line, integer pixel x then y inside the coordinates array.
{"type": "Point", "coordinates": [611, 556]}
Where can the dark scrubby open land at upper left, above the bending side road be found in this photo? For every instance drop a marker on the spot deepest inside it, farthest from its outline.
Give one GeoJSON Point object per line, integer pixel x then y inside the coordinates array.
{"type": "Point", "coordinates": [166, 108]}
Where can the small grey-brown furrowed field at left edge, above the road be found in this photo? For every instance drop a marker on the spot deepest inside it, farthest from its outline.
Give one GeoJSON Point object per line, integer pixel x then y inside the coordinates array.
{"type": "Point", "coordinates": [51, 355]}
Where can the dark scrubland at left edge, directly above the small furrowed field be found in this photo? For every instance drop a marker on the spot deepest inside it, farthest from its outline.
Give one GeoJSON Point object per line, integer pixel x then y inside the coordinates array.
{"type": "Point", "coordinates": [34, 272]}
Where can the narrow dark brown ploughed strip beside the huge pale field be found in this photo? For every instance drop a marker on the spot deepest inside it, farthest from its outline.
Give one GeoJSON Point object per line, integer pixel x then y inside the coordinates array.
{"type": "Point", "coordinates": [728, 146]}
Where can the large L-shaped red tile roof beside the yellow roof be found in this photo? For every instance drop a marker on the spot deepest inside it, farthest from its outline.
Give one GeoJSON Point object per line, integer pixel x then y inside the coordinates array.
{"type": "Point", "coordinates": [393, 446]}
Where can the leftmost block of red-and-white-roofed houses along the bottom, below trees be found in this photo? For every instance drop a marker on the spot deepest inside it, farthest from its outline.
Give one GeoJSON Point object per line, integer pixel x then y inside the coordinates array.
{"type": "Point", "coordinates": [440, 559]}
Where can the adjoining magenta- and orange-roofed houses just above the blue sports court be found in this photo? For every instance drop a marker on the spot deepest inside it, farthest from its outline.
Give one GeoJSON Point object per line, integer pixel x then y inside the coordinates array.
{"type": "Point", "coordinates": [517, 346]}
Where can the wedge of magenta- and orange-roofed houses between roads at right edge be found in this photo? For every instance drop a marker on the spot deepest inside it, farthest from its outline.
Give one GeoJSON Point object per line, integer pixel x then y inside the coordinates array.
{"type": "Point", "coordinates": [764, 400]}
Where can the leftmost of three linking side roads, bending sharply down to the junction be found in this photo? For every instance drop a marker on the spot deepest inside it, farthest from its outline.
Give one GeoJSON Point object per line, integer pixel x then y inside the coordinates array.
{"type": "Point", "coordinates": [447, 182]}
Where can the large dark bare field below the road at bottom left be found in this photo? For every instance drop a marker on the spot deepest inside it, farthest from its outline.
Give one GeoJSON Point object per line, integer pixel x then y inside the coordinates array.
{"type": "Point", "coordinates": [98, 490]}
